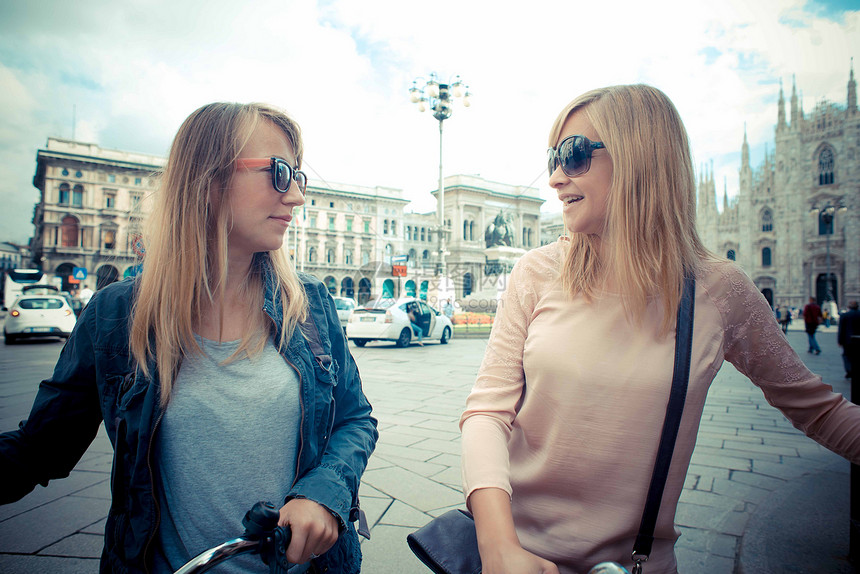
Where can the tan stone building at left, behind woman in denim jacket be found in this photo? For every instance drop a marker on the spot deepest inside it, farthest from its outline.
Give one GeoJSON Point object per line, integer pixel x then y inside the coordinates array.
{"type": "Point", "coordinates": [91, 207]}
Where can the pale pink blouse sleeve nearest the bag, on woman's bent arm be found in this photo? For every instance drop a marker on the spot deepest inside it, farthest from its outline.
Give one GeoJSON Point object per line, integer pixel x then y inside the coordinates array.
{"type": "Point", "coordinates": [492, 405]}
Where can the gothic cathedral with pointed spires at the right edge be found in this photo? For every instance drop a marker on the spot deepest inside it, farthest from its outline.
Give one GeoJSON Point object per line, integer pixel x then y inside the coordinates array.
{"type": "Point", "coordinates": [775, 227]}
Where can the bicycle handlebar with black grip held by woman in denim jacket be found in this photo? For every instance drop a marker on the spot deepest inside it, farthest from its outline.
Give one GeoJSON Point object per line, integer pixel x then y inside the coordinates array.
{"type": "Point", "coordinates": [262, 536]}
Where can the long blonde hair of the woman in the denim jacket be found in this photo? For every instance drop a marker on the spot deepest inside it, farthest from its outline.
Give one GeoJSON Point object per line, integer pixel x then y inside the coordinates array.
{"type": "Point", "coordinates": [185, 237]}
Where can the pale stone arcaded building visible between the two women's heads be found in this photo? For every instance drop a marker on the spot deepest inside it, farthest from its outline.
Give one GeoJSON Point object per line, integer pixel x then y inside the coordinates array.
{"type": "Point", "coordinates": [350, 236]}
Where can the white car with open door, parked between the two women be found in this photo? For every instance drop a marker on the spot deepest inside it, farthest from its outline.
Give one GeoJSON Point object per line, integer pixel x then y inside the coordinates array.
{"type": "Point", "coordinates": [386, 320]}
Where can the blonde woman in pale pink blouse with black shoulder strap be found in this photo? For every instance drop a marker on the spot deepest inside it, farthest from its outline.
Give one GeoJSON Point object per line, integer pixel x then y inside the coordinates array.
{"type": "Point", "coordinates": [562, 426]}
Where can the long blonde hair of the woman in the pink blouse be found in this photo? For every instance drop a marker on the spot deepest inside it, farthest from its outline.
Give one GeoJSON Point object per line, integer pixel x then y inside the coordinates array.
{"type": "Point", "coordinates": [650, 236]}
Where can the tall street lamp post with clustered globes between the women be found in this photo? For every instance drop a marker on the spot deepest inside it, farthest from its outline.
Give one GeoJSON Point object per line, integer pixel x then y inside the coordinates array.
{"type": "Point", "coordinates": [440, 98]}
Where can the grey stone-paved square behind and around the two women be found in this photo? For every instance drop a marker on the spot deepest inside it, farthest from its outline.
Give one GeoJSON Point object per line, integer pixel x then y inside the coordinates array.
{"type": "Point", "coordinates": [751, 471]}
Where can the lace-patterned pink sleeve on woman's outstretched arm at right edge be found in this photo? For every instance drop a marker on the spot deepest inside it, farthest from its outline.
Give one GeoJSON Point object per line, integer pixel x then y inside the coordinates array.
{"type": "Point", "coordinates": [756, 346]}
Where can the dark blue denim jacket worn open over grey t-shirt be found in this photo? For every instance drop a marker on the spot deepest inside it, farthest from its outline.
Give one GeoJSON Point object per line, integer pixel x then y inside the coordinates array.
{"type": "Point", "coordinates": [95, 380]}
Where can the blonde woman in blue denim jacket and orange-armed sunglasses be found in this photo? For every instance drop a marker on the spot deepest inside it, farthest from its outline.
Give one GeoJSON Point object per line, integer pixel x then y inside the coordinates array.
{"type": "Point", "coordinates": [209, 371]}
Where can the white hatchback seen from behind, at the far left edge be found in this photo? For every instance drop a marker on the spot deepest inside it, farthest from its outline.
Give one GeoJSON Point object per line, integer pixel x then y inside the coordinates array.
{"type": "Point", "coordinates": [39, 316]}
